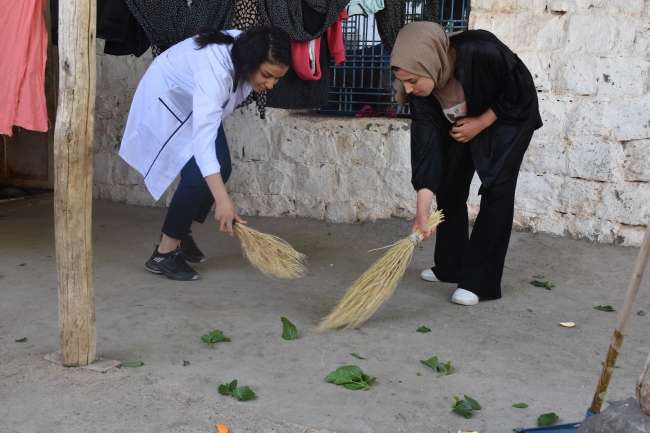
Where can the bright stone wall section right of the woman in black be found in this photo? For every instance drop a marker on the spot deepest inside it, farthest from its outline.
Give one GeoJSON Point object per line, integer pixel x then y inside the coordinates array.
{"type": "Point", "coordinates": [587, 171]}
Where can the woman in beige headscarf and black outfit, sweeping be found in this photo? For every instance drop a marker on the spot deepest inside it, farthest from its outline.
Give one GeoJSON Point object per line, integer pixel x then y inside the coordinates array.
{"type": "Point", "coordinates": [474, 109]}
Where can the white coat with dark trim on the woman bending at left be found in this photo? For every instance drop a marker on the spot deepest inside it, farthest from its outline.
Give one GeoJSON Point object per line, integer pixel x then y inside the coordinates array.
{"type": "Point", "coordinates": [177, 110]}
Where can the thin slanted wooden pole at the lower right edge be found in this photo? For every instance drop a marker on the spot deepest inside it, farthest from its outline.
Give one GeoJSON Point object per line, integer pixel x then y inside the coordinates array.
{"type": "Point", "coordinates": [623, 319]}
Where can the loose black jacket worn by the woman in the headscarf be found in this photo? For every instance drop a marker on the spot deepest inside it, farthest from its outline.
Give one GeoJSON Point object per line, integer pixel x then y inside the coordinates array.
{"type": "Point", "coordinates": [492, 76]}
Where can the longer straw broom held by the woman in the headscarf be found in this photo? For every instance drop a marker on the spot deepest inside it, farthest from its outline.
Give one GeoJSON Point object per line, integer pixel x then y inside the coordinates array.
{"type": "Point", "coordinates": [377, 284]}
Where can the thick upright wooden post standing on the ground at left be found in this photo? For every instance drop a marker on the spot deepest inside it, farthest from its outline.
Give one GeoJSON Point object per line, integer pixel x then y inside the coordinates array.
{"type": "Point", "coordinates": [73, 164]}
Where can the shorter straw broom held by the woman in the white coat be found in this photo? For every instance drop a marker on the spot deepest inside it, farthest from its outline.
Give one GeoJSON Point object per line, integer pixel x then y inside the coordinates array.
{"type": "Point", "coordinates": [270, 254]}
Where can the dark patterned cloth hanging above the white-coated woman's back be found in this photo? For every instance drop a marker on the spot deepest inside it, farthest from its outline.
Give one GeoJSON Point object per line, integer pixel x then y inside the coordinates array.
{"type": "Point", "coordinates": [168, 22]}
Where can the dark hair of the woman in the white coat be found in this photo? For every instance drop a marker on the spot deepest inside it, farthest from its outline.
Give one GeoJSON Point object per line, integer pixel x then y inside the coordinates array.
{"type": "Point", "coordinates": [250, 49]}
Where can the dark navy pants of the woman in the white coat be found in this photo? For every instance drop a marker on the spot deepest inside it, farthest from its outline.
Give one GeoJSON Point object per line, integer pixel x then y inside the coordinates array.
{"type": "Point", "coordinates": [193, 200]}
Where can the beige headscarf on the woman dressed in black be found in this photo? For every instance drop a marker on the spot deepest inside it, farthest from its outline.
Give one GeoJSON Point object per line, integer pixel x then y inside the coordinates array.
{"type": "Point", "coordinates": [421, 48]}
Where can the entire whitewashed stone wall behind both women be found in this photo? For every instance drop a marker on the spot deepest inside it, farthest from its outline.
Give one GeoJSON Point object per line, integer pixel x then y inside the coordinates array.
{"type": "Point", "coordinates": [586, 174]}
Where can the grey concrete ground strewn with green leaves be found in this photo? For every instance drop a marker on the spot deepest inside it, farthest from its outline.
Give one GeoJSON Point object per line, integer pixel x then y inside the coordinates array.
{"type": "Point", "coordinates": [502, 352]}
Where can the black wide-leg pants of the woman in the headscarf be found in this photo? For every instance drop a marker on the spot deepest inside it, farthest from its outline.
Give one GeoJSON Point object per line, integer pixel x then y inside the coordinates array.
{"type": "Point", "coordinates": [474, 262]}
